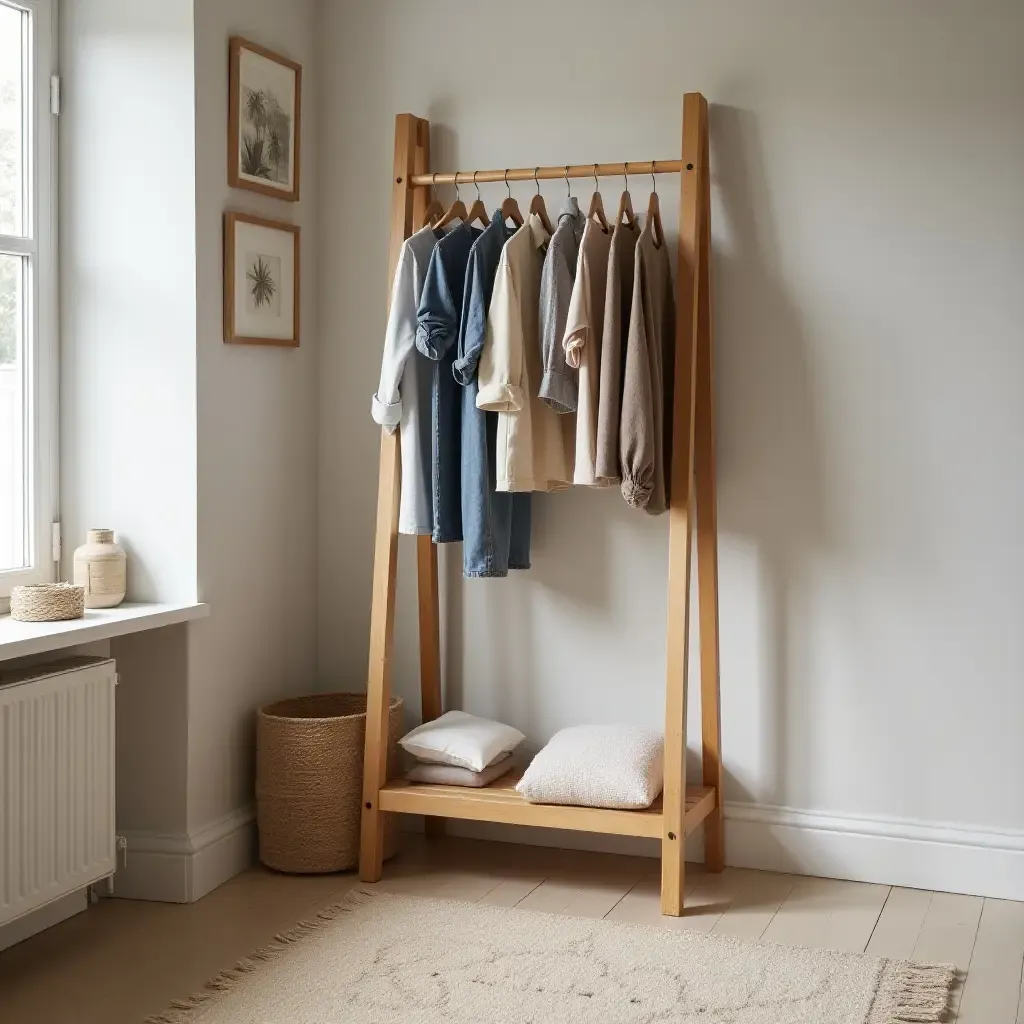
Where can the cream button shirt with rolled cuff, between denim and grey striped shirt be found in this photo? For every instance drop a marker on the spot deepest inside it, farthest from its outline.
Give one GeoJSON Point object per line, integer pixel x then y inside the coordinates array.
{"type": "Point", "coordinates": [531, 454]}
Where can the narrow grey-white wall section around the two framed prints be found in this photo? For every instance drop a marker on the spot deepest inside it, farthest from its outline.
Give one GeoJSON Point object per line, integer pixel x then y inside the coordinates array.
{"type": "Point", "coordinates": [258, 442]}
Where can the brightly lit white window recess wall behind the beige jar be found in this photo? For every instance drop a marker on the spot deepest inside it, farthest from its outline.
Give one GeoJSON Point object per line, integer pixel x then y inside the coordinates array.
{"type": "Point", "coordinates": [129, 287]}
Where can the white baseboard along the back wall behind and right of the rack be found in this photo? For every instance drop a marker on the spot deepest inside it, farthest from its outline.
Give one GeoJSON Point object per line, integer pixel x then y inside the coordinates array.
{"type": "Point", "coordinates": [901, 852]}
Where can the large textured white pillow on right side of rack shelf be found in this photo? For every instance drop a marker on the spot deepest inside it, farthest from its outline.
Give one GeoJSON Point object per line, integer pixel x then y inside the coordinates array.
{"type": "Point", "coordinates": [618, 766]}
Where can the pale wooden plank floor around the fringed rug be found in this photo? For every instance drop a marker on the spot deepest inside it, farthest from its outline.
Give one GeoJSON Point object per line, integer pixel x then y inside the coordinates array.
{"type": "Point", "coordinates": [123, 960]}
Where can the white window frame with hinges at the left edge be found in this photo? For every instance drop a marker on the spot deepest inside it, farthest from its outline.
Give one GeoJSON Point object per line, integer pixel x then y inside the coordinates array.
{"type": "Point", "coordinates": [40, 245]}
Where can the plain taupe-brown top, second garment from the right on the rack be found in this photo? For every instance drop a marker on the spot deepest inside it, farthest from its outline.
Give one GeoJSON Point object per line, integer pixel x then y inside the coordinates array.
{"type": "Point", "coordinates": [617, 320]}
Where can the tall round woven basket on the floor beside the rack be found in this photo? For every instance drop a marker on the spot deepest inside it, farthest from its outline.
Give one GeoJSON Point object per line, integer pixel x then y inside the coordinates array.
{"type": "Point", "coordinates": [310, 782]}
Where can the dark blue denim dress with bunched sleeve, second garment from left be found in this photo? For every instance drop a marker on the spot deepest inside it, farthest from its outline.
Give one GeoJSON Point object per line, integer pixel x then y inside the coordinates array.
{"type": "Point", "coordinates": [437, 334]}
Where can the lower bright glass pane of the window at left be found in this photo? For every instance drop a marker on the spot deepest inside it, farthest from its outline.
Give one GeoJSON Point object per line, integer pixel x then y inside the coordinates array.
{"type": "Point", "coordinates": [14, 465]}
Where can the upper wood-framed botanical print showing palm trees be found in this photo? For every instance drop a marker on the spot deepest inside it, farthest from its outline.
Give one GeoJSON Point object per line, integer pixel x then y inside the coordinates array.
{"type": "Point", "coordinates": [265, 121]}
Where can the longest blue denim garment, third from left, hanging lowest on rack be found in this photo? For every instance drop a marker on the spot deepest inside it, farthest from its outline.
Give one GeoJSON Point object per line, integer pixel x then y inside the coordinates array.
{"type": "Point", "coordinates": [495, 527]}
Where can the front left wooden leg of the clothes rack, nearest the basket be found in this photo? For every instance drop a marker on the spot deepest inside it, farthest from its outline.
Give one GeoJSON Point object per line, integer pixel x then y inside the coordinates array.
{"type": "Point", "coordinates": [407, 132]}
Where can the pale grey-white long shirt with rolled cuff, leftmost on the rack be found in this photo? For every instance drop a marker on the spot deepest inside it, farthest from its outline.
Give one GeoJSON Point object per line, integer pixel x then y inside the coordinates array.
{"type": "Point", "coordinates": [404, 396]}
